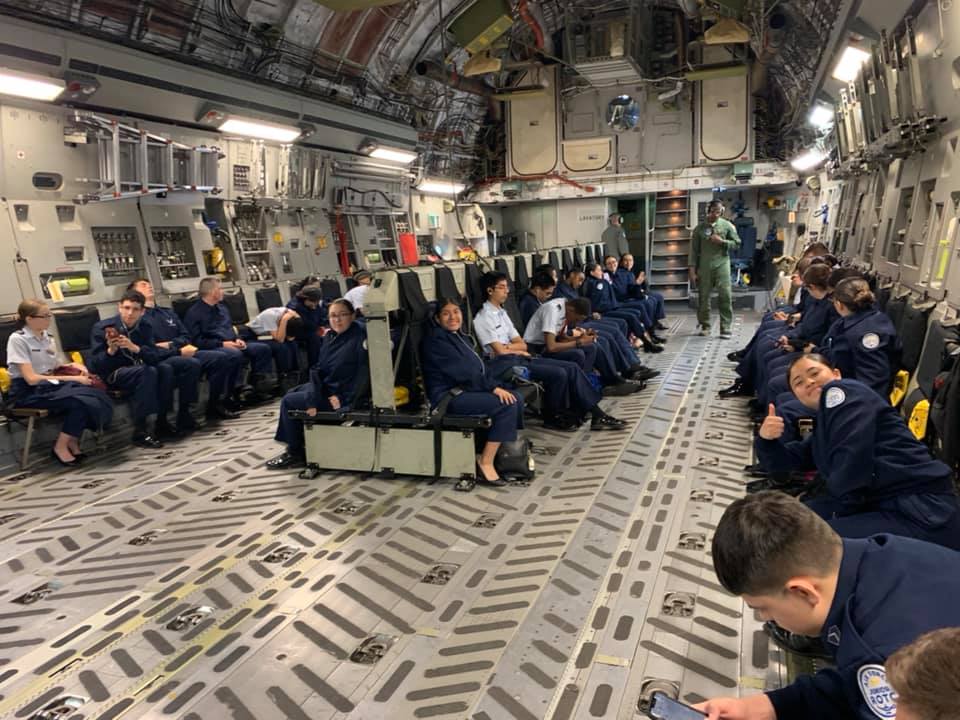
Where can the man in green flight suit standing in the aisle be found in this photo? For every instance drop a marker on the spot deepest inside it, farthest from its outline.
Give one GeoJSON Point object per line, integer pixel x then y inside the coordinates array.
{"type": "Point", "coordinates": [710, 247]}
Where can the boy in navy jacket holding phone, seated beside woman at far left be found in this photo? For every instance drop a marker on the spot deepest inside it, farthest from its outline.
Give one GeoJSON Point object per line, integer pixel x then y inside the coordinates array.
{"type": "Point", "coordinates": [123, 354]}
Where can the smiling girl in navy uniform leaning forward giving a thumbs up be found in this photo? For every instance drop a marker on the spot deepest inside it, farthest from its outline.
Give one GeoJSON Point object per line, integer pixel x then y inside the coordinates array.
{"type": "Point", "coordinates": [879, 477]}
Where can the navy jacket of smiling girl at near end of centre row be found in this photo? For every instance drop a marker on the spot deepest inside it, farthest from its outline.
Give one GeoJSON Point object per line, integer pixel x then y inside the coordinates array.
{"type": "Point", "coordinates": [449, 361]}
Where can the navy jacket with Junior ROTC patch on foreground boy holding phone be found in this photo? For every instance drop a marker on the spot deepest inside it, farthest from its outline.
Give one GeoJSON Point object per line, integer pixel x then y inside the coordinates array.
{"type": "Point", "coordinates": [890, 591]}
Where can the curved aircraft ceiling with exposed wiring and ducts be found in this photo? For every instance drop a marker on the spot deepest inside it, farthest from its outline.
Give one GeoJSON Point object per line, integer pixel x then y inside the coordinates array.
{"type": "Point", "coordinates": [365, 57]}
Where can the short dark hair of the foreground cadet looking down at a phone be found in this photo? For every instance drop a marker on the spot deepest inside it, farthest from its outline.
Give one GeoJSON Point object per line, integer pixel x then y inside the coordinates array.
{"type": "Point", "coordinates": [766, 538]}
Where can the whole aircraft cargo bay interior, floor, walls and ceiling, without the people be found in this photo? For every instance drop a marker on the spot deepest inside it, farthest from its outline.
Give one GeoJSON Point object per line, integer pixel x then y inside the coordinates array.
{"type": "Point", "coordinates": [268, 142]}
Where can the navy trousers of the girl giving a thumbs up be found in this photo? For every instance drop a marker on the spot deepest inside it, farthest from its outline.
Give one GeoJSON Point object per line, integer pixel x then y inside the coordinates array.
{"type": "Point", "coordinates": [932, 518]}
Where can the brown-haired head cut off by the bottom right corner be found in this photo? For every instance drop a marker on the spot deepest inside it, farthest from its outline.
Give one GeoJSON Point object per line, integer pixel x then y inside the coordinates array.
{"type": "Point", "coordinates": [925, 675]}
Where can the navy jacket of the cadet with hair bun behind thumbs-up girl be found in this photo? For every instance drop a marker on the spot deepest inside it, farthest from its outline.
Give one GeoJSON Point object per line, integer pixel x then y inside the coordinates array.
{"type": "Point", "coordinates": [864, 346]}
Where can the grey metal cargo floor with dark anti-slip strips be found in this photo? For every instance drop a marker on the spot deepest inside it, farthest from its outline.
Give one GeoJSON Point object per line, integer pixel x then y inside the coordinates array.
{"type": "Point", "coordinates": [567, 597]}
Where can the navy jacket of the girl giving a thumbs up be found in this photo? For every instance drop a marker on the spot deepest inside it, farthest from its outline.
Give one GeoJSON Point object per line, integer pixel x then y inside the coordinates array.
{"type": "Point", "coordinates": [865, 452]}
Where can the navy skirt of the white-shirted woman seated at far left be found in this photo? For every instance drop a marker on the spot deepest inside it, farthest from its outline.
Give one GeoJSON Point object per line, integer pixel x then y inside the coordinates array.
{"type": "Point", "coordinates": [83, 407]}
